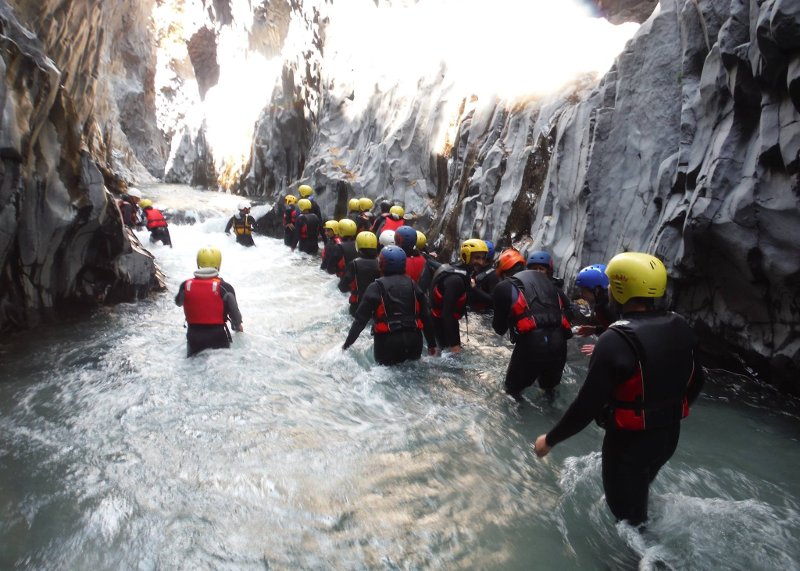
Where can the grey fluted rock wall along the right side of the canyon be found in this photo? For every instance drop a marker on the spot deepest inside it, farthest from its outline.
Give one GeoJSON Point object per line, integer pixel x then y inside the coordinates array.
{"type": "Point", "coordinates": [687, 148]}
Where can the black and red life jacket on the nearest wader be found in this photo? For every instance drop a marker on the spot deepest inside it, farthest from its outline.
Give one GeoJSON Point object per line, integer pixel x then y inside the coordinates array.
{"type": "Point", "coordinates": [654, 396]}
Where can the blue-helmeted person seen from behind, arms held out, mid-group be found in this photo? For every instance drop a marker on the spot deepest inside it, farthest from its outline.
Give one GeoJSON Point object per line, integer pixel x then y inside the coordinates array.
{"type": "Point", "coordinates": [399, 312]}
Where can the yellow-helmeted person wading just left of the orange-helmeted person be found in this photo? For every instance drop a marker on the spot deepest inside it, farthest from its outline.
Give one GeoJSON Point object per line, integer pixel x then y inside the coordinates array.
{"type": "Point", "coordinates": [449, 290]}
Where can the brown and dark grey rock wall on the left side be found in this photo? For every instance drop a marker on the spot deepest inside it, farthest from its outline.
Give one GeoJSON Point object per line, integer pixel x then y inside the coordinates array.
{"type": "Point", "coordinates": [62, 242]}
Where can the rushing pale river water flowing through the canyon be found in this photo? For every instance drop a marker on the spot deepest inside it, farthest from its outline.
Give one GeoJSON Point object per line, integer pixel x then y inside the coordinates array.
{"type": "Point", "coordinates": [118, 452]}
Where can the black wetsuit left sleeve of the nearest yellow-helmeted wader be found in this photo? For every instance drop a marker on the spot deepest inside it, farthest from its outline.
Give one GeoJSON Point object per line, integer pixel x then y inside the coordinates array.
{"type": "Point", "coordinates": [612, 359]}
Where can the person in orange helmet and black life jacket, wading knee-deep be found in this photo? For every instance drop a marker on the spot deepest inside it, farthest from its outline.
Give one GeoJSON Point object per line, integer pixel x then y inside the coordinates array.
{"type": "Point", "coordinates": [527, 306]}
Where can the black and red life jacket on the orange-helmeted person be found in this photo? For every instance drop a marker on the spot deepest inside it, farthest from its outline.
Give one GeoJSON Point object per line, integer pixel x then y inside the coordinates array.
{"type": "Point", "coordinates": [538, 305]}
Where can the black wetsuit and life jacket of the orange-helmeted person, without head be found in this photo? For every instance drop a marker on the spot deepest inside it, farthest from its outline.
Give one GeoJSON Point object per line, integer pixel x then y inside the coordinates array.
{"type": "Point", "coordinates": [540, 354]}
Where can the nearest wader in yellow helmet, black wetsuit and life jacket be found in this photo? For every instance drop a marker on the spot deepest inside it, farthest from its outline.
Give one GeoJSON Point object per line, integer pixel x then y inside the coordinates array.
{"type": "Point", "coordinates": [642, 377]}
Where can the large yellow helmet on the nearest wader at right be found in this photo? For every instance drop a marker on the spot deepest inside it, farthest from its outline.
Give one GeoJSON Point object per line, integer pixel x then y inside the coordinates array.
{"type": "Point", "coordinates": [634, 274]}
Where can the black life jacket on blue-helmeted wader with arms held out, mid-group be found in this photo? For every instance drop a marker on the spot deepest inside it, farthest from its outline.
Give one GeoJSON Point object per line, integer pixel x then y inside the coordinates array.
{"type": "Point", "coordinates": [399, 308]}
